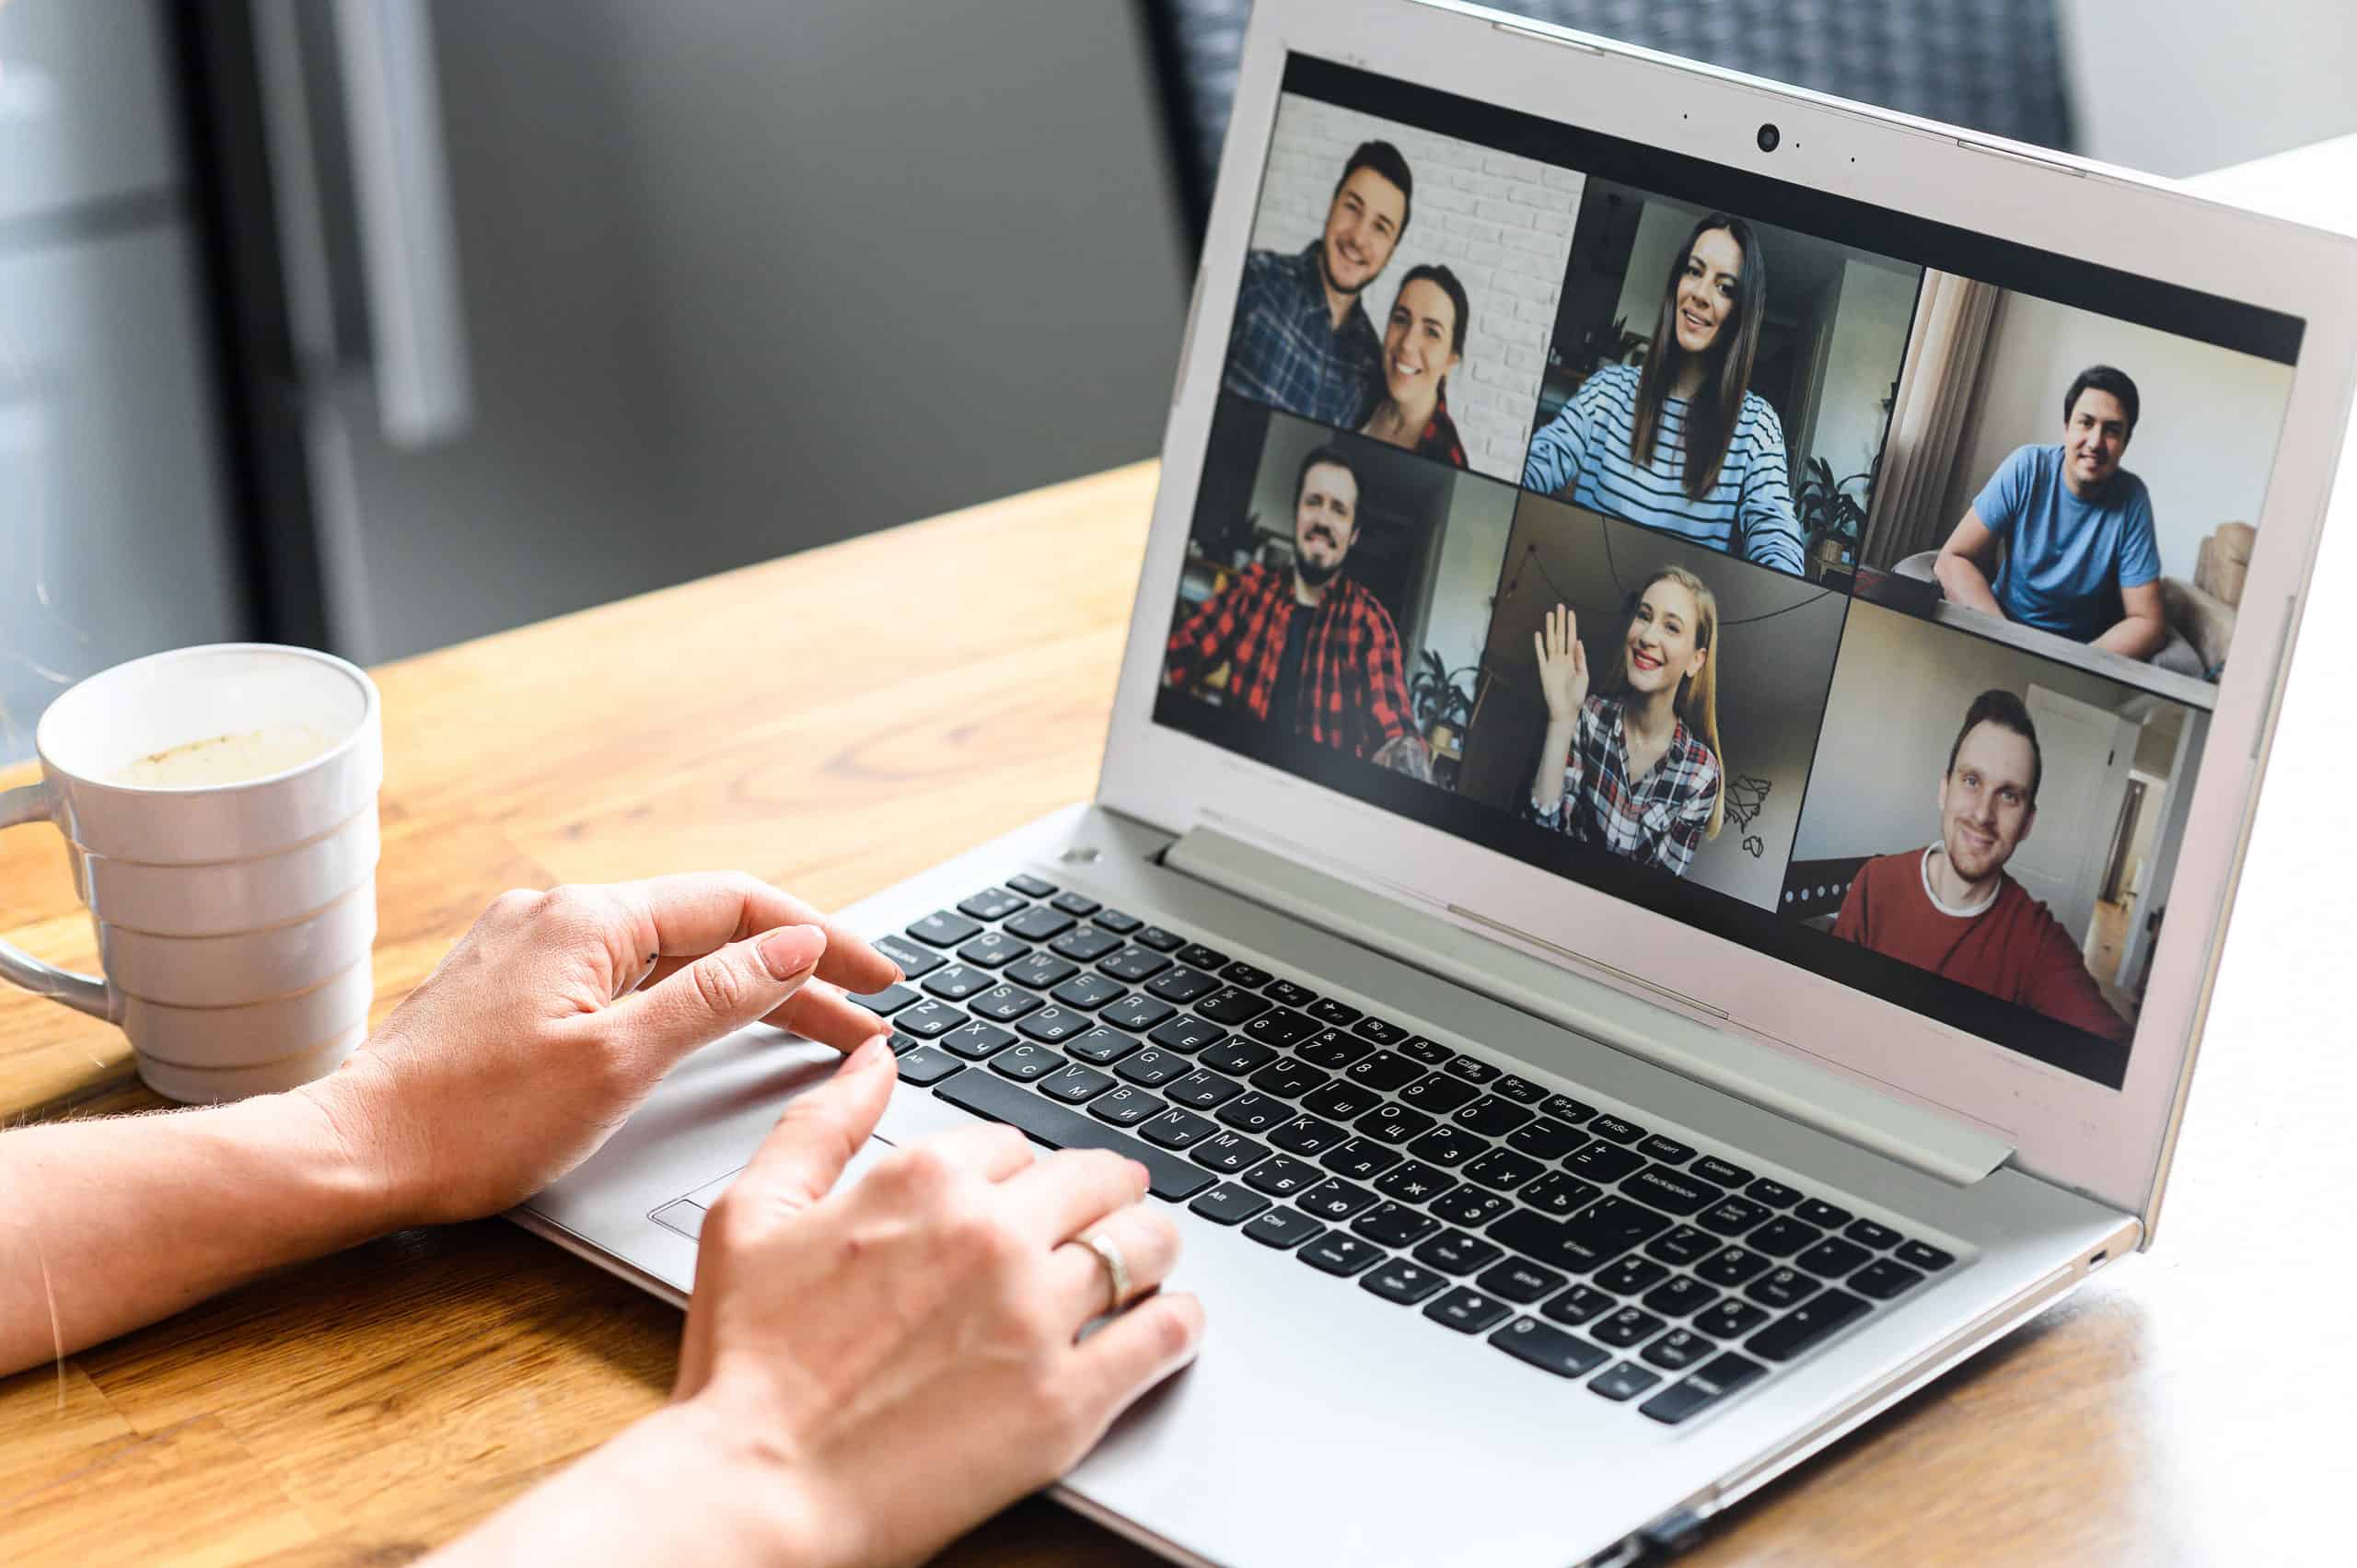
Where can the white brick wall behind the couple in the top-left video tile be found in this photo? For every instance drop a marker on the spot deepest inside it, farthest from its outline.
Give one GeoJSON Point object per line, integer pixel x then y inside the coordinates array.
{"type": "Point", "coordinates": [1503, 225]}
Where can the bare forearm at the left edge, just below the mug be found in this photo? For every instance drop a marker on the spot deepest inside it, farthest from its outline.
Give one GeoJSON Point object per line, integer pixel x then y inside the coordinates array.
{"type": "Point", "coordinates": [117, 1223]}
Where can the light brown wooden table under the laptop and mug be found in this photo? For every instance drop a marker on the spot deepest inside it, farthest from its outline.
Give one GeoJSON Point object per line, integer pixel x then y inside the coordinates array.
{"type": "Point", "coordinates": [824, 725]}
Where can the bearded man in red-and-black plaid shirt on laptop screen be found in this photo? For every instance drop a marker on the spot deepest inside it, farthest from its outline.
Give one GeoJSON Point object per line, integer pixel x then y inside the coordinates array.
{"type": "Point", "coordinates": [1309, 652]}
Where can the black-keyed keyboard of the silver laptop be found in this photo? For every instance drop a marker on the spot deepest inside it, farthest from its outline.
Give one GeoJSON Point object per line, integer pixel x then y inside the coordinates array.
{"type": "Point", "coordinates": [1571, 1239]}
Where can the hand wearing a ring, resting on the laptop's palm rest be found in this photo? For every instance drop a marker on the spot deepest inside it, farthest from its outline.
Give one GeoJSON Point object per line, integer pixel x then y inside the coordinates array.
{"type": "Point", "coordinates": [902, 1357]}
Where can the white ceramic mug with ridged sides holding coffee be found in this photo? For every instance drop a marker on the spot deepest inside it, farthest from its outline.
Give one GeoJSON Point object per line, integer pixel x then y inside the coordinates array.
{"type": "Point", "coordinates": [220, 815]}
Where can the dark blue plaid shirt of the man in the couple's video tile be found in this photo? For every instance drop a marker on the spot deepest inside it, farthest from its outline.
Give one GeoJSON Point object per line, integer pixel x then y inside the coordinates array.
{"type": "Point", "coordinates": [1290, 355]}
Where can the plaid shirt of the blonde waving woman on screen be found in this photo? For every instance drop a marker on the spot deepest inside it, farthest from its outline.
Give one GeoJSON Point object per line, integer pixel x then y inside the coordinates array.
{"type": "Point", "coordinates": [1656, 819]}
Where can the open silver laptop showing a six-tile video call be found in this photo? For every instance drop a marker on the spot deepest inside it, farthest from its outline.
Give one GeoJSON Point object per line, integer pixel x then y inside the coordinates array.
{"type": "Point", "coordinates": [1691, 720]}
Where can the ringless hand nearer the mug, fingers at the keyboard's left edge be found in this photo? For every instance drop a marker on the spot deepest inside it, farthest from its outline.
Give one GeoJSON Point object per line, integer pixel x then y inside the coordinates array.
{"type": "Point", "coordinates": [560, 1013]}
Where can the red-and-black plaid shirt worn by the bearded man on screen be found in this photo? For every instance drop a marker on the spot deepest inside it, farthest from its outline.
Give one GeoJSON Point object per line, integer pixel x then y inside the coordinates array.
{"type": "Point", "coordinates": [1352, 690]}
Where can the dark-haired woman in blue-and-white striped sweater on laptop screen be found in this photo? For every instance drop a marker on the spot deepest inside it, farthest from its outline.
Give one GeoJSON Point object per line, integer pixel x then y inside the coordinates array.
{"type": "Point", "coordinates": [1684, 444]}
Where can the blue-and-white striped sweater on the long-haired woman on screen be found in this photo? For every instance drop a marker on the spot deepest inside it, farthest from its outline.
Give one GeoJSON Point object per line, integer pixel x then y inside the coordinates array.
{"type": "Point", "coordinates": [1583, 456]}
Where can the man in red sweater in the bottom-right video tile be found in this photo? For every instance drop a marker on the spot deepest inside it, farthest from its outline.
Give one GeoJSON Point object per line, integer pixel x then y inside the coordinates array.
{"type": "Point", "coordinates": [1953, 909]}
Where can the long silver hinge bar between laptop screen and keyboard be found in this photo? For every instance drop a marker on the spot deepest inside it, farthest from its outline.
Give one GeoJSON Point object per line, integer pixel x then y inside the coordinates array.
{"type": "Point", "coordinates": [1597, 1001]}
